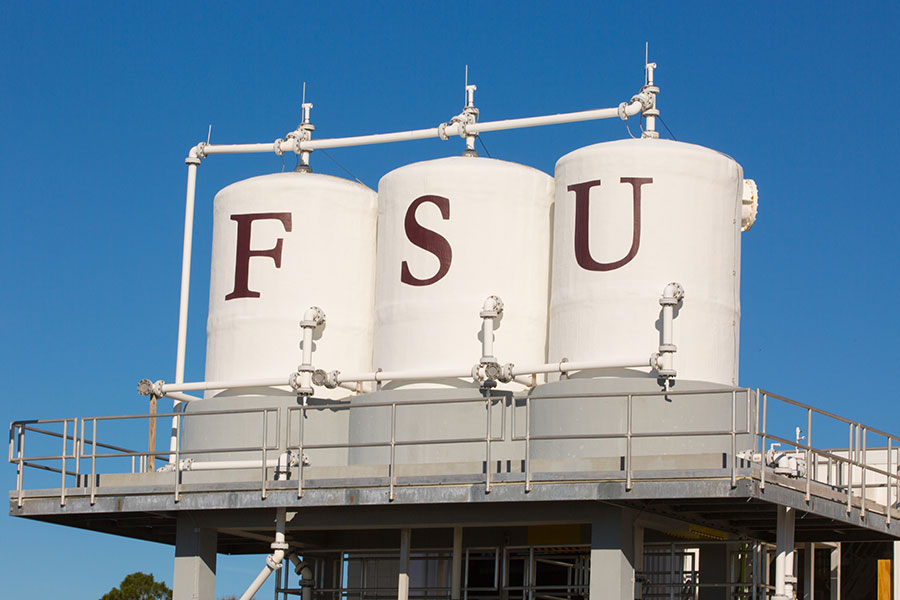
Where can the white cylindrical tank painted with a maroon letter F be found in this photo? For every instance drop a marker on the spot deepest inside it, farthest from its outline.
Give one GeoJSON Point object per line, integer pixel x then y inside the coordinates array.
{"type": "Point", "coordinates": [282, 243]}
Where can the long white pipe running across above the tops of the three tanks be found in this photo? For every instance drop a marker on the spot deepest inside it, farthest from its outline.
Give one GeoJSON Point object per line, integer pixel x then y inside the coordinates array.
{"type": "Point", "coordinates": [420, 134]}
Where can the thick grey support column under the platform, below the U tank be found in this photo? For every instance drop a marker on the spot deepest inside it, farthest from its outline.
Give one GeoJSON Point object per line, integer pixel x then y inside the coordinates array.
{"type": "Point", "coordinates": [612, 554]}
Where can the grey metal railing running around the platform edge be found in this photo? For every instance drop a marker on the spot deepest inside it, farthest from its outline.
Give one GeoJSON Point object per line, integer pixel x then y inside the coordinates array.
{"type": "Point", "coordinates": [85, 447]}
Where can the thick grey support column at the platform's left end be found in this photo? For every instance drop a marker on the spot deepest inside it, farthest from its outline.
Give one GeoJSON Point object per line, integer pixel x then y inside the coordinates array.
{"type": "Point", "coordinates": [195, 561]}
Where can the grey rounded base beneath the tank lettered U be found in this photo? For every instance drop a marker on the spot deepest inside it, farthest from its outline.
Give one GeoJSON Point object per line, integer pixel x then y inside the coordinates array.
{"type": "Point", "coordinates": [682, 429]}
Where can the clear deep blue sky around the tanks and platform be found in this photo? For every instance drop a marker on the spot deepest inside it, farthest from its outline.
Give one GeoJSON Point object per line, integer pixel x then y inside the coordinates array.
{"type": "Point", "coordinates": [101, 102]}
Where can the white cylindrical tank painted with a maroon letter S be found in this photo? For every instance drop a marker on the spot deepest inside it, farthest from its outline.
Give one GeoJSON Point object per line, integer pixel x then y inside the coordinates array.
{"type": "Point", "coordinates": [452, 232]}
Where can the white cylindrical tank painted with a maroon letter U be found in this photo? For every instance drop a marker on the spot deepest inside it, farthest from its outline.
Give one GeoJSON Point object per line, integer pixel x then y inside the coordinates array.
{"type": "Point", "coordinates": [630, 217]}
